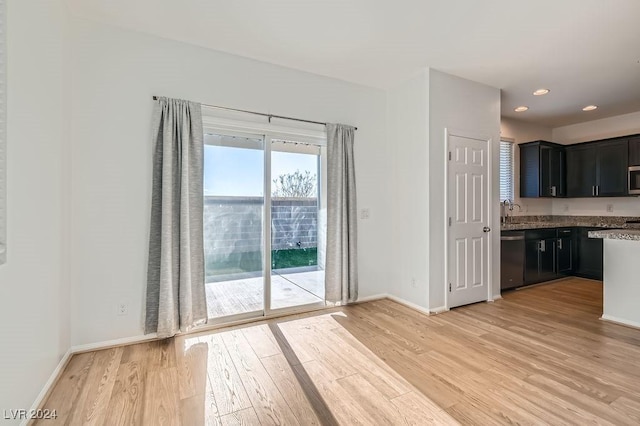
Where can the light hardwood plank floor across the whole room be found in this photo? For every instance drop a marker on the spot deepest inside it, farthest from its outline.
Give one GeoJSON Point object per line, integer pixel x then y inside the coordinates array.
{"type": "Point", "coordinates": [539, 356]}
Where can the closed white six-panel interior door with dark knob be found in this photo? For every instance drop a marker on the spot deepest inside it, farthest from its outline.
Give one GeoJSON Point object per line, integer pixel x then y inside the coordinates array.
{"type": "Point", "coordinates": [468, 202]}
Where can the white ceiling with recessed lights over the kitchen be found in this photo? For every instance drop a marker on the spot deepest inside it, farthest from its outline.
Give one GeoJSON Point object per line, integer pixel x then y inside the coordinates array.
{"type": "Point", "coordinates": [585, 51]}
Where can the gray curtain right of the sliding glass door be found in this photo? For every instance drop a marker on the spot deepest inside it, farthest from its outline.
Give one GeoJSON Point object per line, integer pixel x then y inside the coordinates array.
{"type": "Point", "coordinates": [341, 270]}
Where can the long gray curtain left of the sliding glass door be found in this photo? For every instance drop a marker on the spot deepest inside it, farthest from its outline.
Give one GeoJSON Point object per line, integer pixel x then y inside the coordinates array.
{"type": "Point", "coordinates": [175, 278]}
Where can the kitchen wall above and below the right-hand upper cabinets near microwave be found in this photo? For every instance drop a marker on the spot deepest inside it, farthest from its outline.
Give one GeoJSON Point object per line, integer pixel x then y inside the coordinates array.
{"type": "Point", "coordinates": [620, 125]}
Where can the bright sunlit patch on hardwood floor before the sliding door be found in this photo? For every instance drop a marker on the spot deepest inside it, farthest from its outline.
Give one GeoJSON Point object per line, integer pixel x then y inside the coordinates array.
{"type": "Point", "coordinates": [310, 369]}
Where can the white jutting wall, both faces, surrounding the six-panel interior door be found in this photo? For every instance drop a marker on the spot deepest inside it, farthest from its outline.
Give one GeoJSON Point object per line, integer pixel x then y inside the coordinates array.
{"type": "Point", "coordinates": [419, 111]}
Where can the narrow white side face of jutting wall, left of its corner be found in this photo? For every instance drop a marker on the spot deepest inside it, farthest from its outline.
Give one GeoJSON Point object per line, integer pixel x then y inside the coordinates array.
{"type": "Point", "coordinates": [408, 118]}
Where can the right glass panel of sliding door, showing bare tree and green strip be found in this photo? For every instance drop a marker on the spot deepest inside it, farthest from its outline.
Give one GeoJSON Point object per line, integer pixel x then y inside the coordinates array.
{"type": "Point", "coordinates": [297, 225]}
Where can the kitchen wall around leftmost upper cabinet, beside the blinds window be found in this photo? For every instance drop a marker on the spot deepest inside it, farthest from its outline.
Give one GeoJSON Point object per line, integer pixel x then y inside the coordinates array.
{"type": "Point", "coordinates": [522, 132]}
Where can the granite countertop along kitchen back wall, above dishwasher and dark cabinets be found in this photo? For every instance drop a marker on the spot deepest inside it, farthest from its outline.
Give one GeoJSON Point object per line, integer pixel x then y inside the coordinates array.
{"type": "Point", "coordinates": [541, 222]}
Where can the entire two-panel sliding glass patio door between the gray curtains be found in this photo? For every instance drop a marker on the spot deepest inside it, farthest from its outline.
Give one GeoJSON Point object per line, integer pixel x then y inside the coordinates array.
{"type": "Point", "coordinates": [253, 269]}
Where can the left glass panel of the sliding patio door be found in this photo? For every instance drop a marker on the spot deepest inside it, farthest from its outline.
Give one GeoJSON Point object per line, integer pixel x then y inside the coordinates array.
{"type": "Point", "coordinates": [234, 225]}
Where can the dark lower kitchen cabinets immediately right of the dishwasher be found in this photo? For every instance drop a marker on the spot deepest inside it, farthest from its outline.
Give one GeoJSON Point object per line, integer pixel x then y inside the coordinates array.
{"type": "Point", "coordinates": [549, 254]}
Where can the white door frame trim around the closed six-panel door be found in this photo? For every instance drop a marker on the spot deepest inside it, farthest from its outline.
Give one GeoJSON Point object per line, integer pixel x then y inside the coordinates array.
{"type": "Point", "coordinates": [448, 132]}
